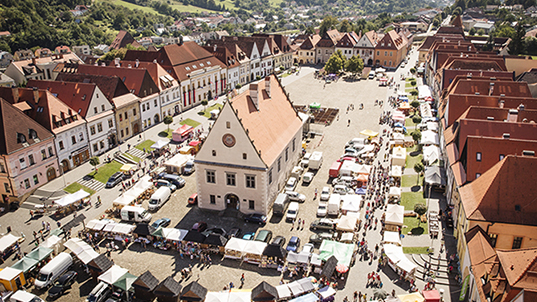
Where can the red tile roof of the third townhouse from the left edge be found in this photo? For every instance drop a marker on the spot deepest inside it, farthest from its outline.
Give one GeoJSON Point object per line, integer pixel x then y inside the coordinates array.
{"type": "Point", "coordinates": [75, 95]}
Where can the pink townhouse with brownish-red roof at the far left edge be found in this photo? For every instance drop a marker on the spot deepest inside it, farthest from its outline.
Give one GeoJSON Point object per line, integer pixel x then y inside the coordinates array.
{"type": "Point", "coordinates": [27, 154]}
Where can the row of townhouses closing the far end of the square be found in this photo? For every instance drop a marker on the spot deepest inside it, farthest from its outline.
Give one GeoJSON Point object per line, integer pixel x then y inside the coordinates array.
{"type": "Point", "coordinates": [376, 49]}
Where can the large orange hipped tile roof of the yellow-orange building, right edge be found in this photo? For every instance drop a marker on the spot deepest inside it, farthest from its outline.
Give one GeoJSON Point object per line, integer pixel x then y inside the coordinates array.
{"type": "Point", "coordinates": [505, 193]}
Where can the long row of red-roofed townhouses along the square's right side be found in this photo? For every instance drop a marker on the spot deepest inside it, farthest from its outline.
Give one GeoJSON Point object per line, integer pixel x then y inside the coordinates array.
{"type": "Point", "coordinates": [488, 138]}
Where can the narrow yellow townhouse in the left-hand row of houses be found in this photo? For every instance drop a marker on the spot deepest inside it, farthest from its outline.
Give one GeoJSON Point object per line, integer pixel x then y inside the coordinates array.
{"type": "Point", "coordinates": [127, 113]}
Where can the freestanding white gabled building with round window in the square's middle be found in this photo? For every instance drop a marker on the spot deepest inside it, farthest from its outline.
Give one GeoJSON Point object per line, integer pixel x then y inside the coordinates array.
{"type": "Point", "coordinates": [248, 154]}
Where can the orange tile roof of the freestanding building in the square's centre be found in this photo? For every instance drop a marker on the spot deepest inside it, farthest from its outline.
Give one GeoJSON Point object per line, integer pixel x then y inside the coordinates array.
{"type": "Point", "coordinates": [271, 127]}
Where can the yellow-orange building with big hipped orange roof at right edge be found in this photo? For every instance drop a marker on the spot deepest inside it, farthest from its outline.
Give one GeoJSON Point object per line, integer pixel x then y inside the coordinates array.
{"type": "Point", "coordinates": [501, 202]}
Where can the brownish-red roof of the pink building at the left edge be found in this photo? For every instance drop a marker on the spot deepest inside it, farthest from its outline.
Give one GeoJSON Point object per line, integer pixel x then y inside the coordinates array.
{"type": "Point", "coordinates": [12, 122]}
